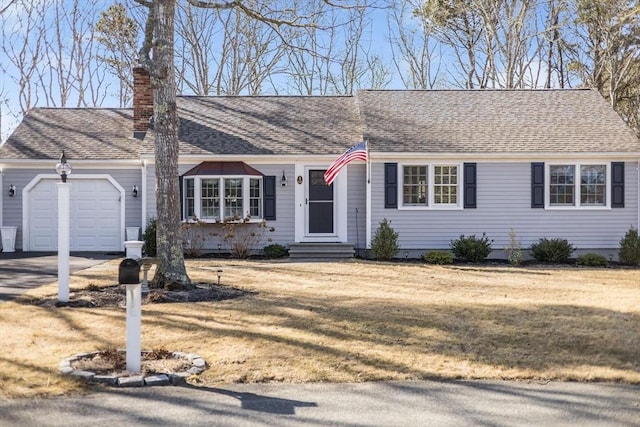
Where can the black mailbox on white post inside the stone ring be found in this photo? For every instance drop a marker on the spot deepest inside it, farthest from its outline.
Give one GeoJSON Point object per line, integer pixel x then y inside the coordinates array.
{"type": "Point", "coordinates": [129, 275]}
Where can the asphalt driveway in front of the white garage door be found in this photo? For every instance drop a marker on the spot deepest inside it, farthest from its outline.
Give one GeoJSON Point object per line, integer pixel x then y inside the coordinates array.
{"type": "Point", "coordinates": [21, 271]}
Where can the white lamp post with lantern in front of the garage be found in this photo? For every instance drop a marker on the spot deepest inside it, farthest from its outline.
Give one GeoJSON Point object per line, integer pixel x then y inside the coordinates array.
{"type": "Point", "coordinates": [63, 168]}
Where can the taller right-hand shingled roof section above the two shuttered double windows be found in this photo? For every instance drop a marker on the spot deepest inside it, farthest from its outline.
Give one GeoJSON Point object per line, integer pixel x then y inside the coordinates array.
{"type": "Point", "coordinates": [493, 121]}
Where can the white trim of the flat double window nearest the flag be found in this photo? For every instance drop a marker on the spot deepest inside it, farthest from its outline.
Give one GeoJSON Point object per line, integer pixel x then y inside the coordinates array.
{"type": "Point", "coordinates": [431, 205]}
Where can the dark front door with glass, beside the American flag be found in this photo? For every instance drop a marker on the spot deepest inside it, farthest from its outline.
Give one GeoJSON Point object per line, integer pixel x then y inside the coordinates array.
{"type": "Point", "coordinates": [319, 204]}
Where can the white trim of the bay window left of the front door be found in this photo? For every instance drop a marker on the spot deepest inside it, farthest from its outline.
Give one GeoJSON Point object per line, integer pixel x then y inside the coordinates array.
{"type": "Point", "coordinates": [197, 208]}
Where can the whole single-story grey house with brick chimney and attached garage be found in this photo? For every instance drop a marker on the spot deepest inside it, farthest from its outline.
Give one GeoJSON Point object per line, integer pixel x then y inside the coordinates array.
{"type": "Point", "coordinates": [545, 163]}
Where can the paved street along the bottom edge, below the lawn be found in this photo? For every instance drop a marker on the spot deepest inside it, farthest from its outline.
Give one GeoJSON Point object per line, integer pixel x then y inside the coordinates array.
{"type": "Point", "coordinates": [422, 403]}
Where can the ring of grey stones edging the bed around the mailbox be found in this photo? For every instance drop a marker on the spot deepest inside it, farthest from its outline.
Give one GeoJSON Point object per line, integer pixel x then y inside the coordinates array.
{"type": "Point", "coordinates": [198, 365]}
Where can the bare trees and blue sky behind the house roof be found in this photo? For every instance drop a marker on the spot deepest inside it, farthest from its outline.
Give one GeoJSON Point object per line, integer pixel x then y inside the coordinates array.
{"type": "Point", "coordinates": [77, 53]}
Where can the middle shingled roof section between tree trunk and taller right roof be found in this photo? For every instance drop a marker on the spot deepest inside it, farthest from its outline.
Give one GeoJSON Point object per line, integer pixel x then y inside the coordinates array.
{"type": "Point", "coordinates": [276, 125]}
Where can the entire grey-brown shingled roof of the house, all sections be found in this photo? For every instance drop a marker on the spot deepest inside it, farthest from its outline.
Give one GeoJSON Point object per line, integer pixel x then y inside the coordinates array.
{"type": "Point", "coordinates": [393, 121]}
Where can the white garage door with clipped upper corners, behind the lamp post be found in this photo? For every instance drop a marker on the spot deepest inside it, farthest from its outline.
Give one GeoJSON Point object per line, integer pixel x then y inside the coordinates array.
{"type": "Point", "coordinates": [95, 222]}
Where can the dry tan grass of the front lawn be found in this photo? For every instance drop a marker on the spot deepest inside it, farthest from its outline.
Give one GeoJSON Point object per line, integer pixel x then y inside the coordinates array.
{"type": "Point", "coordinates": [352, 321]}
